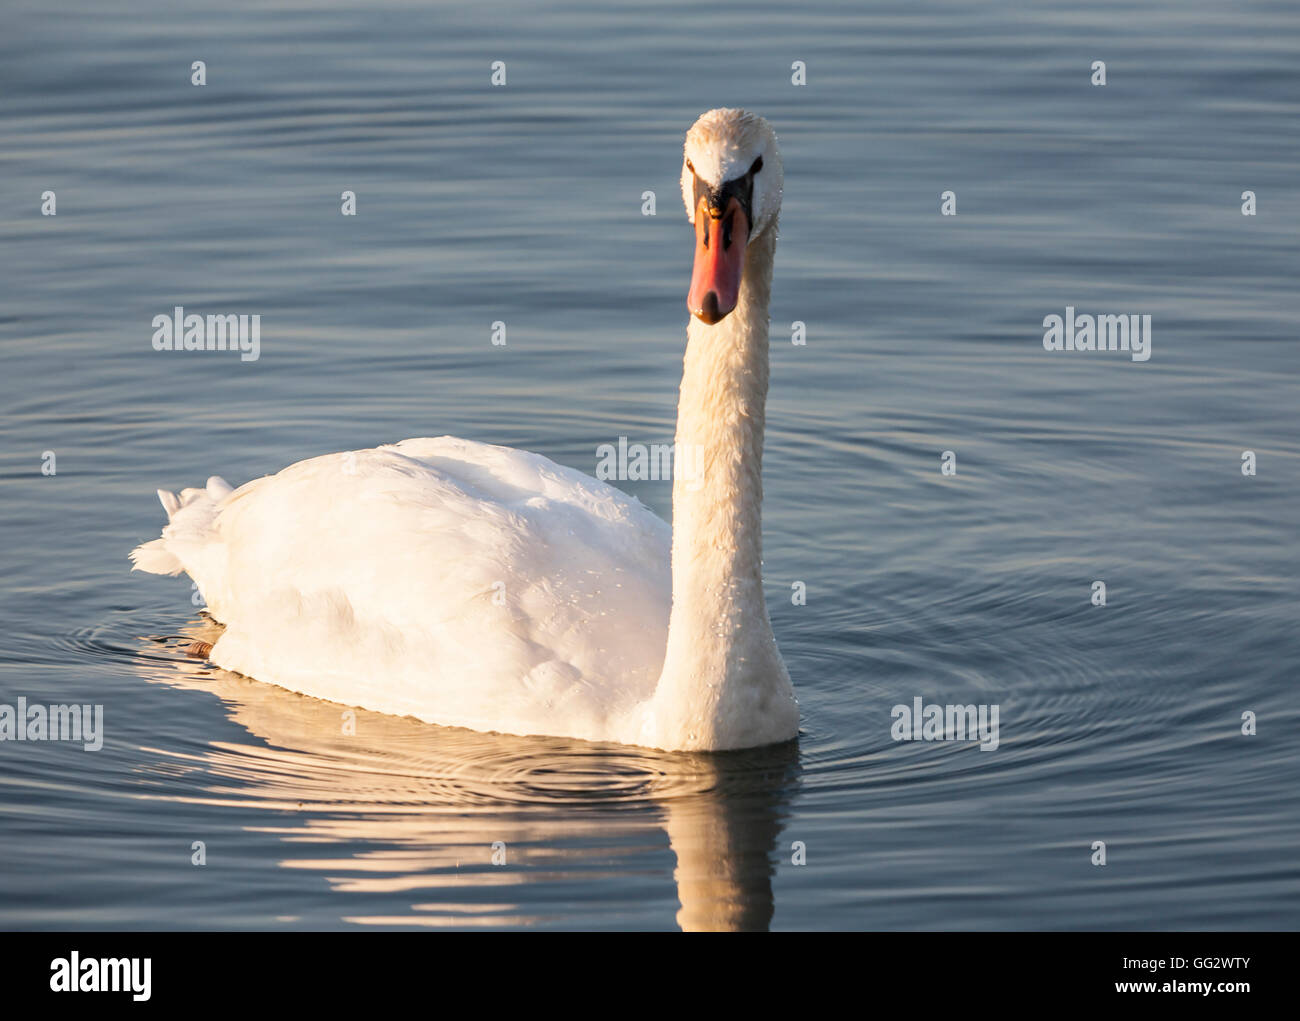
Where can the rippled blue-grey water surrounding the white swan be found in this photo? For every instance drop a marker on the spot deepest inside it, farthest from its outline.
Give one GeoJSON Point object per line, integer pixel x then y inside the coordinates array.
{"type": "Point", "coordinates": [523, 205]}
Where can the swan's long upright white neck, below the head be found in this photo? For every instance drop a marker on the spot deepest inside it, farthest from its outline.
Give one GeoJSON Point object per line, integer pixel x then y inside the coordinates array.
{"type": "Point", "coordinates": [723, 682]}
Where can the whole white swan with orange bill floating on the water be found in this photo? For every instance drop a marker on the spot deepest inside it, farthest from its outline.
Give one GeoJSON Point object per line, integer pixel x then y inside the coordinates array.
{"type": "Point", "coordinates": [476, 586]}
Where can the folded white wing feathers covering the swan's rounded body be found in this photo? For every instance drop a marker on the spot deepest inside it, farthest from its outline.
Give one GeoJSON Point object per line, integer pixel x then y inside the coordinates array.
{"type": "Point", "coordinates": [461, 583]}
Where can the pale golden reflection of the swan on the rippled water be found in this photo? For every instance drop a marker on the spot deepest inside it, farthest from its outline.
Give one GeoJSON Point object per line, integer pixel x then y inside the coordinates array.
{"type": "Point", "coordinates": [392, 807]}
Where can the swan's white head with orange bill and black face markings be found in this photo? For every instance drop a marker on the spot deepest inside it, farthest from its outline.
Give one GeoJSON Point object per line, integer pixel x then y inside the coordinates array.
{"type": "Point", "coordinates": [731, 181]}
